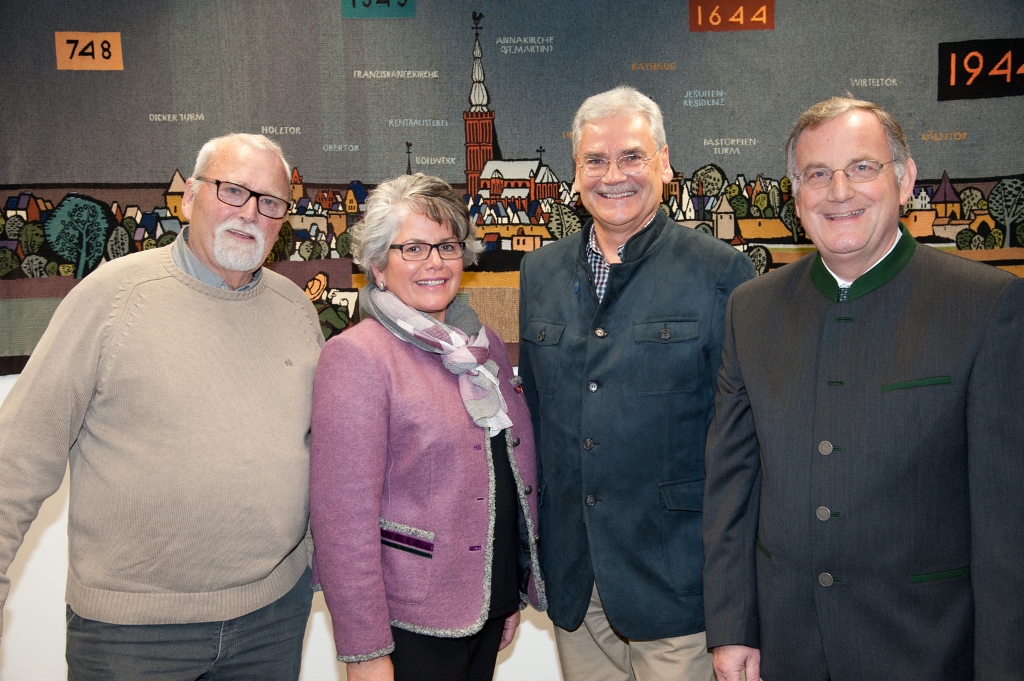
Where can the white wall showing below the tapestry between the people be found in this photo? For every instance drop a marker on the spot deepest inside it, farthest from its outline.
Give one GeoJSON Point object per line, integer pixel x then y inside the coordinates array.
{"type": "Point", "coordinates": [33, 644]}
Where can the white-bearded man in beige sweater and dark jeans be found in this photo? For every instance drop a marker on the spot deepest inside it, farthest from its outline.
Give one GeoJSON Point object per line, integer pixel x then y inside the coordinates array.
{"type": "Point", "coordinates": [178, 382]}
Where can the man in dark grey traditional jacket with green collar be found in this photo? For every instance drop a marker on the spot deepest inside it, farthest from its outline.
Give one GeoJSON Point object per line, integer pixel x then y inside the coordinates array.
{"type": "Point", "coordinates": [864, 515]}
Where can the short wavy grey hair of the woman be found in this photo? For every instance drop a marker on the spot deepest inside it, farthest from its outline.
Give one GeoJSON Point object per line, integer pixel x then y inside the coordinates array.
{"type": "Point", "coordinates": [392, 202]}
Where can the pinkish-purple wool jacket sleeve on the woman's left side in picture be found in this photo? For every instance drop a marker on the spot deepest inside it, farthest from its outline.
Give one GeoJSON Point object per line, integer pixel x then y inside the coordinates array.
{"type": "Point", "coordinates": [349, 456]}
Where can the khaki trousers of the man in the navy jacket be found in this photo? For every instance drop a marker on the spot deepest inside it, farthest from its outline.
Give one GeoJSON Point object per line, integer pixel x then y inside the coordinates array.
{"type": "Point", "coordinates": [595, 652]}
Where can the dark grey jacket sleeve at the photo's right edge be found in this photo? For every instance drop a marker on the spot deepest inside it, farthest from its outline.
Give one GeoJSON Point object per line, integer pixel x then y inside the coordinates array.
{"type": "Point", "coordinates": [996, 465]}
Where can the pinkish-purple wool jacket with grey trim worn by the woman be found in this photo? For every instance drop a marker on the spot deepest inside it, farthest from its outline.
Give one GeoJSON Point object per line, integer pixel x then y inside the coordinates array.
{"type": "Point", "coordinates": [402, 492]}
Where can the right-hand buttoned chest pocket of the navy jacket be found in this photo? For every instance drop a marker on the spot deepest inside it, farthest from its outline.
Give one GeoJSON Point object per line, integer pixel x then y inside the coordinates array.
{"type": "Point", "coordinates": [668, 357]}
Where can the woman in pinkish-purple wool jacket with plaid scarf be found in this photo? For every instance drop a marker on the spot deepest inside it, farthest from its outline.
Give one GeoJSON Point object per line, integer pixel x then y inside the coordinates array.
{"type": "Point", "coordinates": [423, 499]}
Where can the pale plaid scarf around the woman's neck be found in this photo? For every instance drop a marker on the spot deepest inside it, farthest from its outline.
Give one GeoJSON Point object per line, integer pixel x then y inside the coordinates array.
{"type": "Point", "coordinates": [461, 353]}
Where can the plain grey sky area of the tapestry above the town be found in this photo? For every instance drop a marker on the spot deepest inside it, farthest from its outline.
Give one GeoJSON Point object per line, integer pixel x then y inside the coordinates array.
{"type": "Point", "coordinates": [248, 64]}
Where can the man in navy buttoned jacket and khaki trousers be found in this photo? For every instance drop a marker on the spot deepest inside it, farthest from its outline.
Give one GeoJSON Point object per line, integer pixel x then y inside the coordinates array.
{"type": "Point", "coordinates": [621, 330]}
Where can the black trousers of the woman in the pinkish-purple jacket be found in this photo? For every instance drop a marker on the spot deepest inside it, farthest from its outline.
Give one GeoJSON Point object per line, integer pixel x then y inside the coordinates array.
{"type": "Point", "coordinates": [422, 658]}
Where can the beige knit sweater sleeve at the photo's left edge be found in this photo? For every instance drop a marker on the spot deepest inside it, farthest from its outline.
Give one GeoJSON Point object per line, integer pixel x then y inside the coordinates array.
{"type": "Point", "coordinates": [41, 418]}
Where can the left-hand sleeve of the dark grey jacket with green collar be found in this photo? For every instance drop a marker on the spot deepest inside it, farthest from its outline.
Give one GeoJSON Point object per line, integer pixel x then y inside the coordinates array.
{"type": "Point", "coordinates": [733, 492]}
